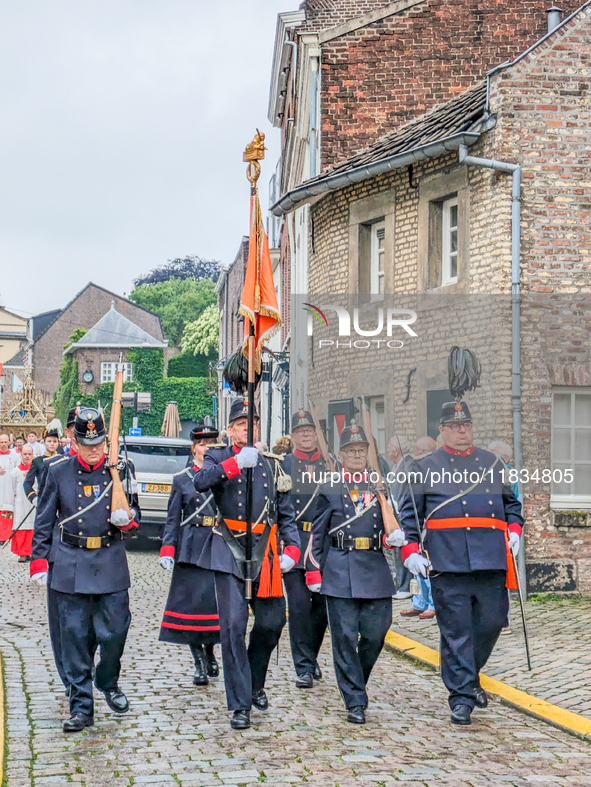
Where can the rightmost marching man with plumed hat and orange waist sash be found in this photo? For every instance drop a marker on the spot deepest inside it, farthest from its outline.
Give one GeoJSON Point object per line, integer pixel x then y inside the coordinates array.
{"type": "Point", "coordinates": [471, 521]}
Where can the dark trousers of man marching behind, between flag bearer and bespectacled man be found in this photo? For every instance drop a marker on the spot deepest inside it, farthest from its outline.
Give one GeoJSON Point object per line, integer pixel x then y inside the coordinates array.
{"type": "Point", "coordinates": [307, 621]}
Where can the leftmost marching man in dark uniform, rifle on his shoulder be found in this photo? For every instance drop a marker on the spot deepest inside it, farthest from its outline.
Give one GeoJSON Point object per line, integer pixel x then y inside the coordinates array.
{"type": "Point", "coordinates": [76, 532]}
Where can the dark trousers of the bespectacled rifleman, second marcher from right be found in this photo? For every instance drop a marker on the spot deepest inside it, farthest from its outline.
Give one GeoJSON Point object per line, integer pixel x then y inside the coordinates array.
{"type": "Point", "coordinates": [358, 627]}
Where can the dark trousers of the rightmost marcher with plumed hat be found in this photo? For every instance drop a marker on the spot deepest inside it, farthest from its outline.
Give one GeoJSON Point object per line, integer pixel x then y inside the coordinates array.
{"type": "Point", "coordinates": [471, 610]}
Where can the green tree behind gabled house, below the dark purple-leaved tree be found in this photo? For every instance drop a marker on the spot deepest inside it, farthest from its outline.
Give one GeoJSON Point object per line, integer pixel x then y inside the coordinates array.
{"type": "Point", "coordinates": [177, 301]}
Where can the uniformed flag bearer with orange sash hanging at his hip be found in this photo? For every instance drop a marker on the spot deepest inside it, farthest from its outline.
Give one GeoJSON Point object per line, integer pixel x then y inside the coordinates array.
{"type": "Point", "coordinates": [272, 519]}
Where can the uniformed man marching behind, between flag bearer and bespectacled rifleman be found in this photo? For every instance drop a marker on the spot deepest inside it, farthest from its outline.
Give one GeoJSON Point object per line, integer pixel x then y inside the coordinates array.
{"type": "Point", "coordinates": [307, 611]}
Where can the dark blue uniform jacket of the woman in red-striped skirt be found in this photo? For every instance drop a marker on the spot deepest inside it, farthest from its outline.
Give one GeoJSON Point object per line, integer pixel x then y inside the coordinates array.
{"type": "Point", "coordinates": [185, 533]}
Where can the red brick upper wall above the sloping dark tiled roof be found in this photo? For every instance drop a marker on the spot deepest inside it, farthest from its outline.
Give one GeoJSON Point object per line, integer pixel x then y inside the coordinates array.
{"type": "Point", "coordinates": [376, 78]}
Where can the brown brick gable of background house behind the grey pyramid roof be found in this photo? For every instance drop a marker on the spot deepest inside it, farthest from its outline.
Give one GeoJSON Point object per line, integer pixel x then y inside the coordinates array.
{"type": "Point", "coordinates": [92, 303]}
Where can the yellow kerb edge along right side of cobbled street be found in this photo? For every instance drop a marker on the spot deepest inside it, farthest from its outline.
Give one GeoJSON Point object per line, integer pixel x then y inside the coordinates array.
{"type": "Point", "coordinates": [565, 720]}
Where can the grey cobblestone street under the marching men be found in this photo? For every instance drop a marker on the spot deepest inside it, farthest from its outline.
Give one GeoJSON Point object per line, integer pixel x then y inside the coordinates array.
{"type": "Point", "coordinates": [178, 734]}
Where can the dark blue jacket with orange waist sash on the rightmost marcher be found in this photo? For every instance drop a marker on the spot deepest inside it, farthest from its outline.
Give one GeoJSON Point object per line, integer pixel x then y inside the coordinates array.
{"type": "Point", "coordinates": [461, 549]}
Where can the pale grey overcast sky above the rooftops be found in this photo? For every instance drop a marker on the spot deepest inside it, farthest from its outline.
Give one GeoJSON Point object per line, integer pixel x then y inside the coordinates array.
{"type": "Point", "coordinates": [123, 126]}
